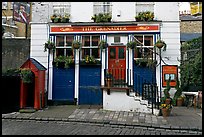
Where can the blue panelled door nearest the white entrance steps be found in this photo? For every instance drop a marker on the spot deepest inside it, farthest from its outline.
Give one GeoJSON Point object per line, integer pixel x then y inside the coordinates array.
{"type": "Point", "coordinates": [89, 85]}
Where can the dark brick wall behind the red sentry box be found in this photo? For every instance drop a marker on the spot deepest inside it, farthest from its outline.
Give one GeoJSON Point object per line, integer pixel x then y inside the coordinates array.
{"type": "Point", "coordinates": [14, 52]}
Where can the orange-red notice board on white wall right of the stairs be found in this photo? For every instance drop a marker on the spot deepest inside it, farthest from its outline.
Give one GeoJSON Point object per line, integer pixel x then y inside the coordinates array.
{"type": "Point", "coordinates": [169, 71]}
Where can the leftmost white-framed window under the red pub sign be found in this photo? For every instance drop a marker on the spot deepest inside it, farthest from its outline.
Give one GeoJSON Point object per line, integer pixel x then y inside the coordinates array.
{"type": "Point", "coordinates": [64, 45]}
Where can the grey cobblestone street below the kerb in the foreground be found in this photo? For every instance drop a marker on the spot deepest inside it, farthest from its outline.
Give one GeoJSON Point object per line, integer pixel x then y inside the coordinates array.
{"type": "Point", "coordinates": [32, 127]}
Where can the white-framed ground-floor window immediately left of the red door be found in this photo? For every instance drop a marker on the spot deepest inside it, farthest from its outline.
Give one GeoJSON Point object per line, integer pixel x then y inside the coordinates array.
{"type": "Point", "coordinates": [90, 46]}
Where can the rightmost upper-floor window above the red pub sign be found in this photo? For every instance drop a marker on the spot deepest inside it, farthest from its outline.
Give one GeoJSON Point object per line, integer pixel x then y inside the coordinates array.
{"type": "Point", "coordinates": [144, 6]}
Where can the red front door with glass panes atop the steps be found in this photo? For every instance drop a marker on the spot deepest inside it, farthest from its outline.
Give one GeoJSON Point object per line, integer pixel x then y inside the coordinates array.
{"type": "Point", "coordinates": [117, 61]}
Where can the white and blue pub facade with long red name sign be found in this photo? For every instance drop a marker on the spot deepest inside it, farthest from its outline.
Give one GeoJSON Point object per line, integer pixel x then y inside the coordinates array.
{"type": "Point", "coordinates": [112, 76]}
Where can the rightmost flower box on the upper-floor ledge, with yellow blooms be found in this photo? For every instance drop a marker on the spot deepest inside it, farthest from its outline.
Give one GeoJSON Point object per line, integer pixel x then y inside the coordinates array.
{"type": "Point", "coordinates": [145, 16]}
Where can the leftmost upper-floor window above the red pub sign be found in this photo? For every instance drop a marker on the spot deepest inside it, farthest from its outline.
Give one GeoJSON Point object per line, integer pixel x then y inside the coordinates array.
{"type": "Point", "coordinates": [60, 8]}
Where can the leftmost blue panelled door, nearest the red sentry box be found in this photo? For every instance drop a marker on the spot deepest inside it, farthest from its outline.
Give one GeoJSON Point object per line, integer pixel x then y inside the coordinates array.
{"type": "Point", "coordinates": [63, 84]}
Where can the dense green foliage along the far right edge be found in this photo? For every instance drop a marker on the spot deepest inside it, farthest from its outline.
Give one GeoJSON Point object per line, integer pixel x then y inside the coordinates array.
{"type": "Point", "coordinates": [191, 68]}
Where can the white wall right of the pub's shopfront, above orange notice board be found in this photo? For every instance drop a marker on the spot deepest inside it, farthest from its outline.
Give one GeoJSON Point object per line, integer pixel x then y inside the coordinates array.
{"type": "Point", "coordinates": [170, 33]}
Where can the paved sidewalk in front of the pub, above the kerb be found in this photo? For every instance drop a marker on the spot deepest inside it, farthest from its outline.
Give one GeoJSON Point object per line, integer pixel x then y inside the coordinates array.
{"type": "Point", "coordinates": [181, 118]}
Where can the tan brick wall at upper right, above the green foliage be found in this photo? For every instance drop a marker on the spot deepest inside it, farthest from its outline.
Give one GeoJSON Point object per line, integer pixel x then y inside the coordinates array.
{"type": "Point", "coordinates": [191, 27]}
